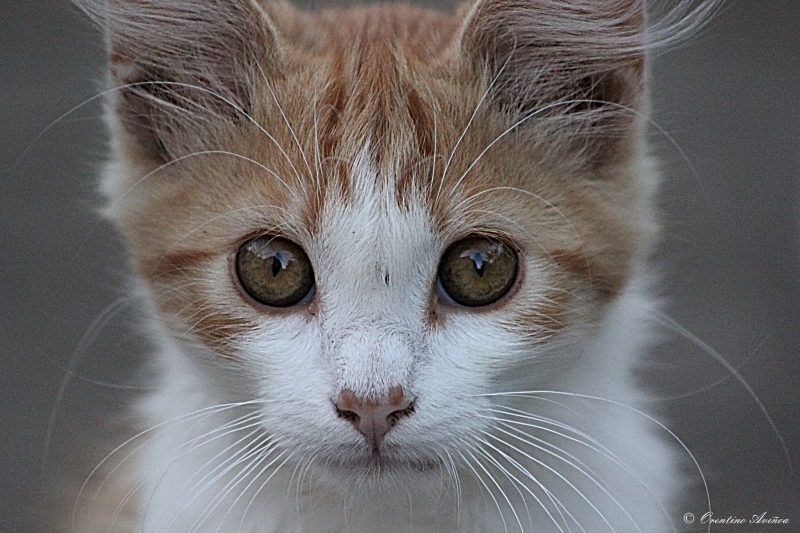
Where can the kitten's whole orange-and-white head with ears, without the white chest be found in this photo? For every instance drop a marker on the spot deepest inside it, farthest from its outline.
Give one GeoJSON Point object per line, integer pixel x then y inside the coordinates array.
{"type": "Point", "coordinates": [372, 220]}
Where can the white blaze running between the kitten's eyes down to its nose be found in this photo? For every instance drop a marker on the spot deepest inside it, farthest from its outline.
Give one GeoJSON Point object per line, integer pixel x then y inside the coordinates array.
{"type": "Point", "coordinates": [376, 269]}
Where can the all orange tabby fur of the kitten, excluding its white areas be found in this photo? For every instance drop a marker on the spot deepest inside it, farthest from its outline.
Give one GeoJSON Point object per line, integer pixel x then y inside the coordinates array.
{"type": "Point", "coordinates": [410, 86]}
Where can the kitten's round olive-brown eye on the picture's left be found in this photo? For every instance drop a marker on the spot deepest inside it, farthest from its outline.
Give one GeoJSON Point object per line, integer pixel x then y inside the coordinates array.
{"type": "Point", "coordinates": [275, 271]}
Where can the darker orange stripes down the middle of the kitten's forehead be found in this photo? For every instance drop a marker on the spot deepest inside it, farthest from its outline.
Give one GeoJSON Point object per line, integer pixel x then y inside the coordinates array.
{"type": "Point", "coordinates": [372, 94]}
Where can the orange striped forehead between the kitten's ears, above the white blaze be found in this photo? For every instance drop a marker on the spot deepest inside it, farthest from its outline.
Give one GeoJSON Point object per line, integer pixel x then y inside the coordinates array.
{"type": "Point", "coordinates": [378, 80]}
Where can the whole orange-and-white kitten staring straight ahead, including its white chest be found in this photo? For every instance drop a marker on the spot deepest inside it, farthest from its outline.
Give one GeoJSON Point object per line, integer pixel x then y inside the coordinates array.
{"type": "Point", "coordinates": [394, 262]}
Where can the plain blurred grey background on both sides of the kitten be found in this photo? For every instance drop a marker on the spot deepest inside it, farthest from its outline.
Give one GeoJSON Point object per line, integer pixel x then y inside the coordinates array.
{"type": "Point", "coordinates": [731, 259]}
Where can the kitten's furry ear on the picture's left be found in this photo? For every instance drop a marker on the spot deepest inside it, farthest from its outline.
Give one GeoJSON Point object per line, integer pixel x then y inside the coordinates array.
{"type": "Point", "coordinates": [182, 68]}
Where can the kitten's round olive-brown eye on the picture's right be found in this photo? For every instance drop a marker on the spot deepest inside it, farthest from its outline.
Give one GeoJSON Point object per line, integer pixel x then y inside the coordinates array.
{"type": "Point", "coordinates": [478, 271]}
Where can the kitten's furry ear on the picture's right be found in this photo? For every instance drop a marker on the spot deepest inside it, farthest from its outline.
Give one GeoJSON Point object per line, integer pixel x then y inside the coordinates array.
{"type": "Point", "coordinates": [572, 69]}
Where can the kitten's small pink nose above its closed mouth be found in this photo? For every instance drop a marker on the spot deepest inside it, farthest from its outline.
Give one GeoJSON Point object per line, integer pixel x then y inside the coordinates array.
{"type": "Point", "coordinates": [374, 418]}
